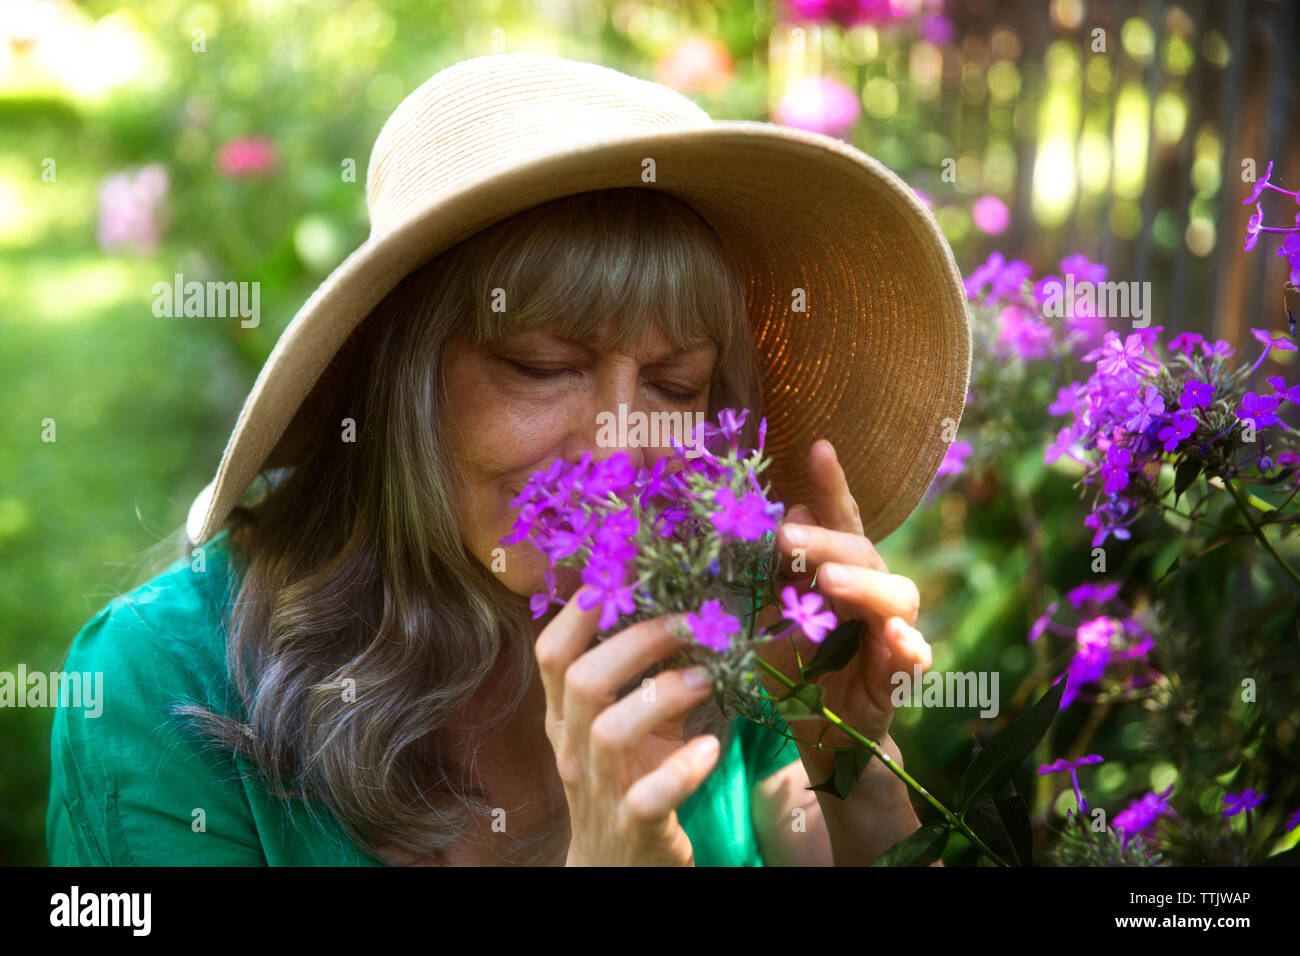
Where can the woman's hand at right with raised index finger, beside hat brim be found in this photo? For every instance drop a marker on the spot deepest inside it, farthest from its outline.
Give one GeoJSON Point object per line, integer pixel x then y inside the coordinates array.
{"type": "Point", "coordinates": [859, 586]}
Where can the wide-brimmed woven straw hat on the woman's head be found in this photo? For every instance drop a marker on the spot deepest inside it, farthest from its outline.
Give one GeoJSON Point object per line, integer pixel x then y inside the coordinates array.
{"type": "Point", "coordinates": [877, 361]}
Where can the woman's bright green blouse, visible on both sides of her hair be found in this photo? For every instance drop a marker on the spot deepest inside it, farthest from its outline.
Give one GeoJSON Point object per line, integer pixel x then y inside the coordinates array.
{"type": "Point", "coordinates": [135, 786]}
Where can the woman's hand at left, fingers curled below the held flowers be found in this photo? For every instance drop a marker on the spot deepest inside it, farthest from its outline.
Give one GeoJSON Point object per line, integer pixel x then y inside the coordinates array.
{"type": "Point", "coordinates": [623, 763]}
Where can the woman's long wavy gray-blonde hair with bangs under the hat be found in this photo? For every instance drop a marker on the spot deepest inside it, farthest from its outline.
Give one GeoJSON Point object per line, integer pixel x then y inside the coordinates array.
{"type": "Point", "coordinates": [362, 624]}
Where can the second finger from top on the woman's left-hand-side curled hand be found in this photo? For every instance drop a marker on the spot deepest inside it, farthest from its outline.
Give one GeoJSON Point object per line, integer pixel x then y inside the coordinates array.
{"type": "Point", "coordinates": [595, 680]}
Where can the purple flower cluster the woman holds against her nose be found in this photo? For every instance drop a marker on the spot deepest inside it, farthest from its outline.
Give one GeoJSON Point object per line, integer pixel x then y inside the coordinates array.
{"type": "Point", "coordinates": [627, 529]}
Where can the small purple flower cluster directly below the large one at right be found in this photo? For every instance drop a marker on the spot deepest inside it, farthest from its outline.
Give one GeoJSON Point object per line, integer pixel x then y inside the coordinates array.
{"type": "Point", "coordinates": [1110, 639]}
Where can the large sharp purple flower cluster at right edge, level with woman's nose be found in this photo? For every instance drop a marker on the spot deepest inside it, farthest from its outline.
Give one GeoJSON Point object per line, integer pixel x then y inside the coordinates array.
{"type": "Point", "coordinates": [1136, 409]}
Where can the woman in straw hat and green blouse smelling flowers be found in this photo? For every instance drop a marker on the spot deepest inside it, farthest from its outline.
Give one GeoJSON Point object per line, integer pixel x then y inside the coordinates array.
{"type": "Point", "coordinates": [345, 671]}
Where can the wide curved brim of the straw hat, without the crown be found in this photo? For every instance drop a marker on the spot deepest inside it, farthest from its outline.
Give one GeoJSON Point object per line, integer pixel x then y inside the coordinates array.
{"type": "Point", "coordinates": [878, 364]}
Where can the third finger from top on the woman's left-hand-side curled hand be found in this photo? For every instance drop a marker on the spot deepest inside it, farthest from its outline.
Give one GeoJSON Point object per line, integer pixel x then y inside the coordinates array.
{"type": "Point", "coordinates": [618, 730]}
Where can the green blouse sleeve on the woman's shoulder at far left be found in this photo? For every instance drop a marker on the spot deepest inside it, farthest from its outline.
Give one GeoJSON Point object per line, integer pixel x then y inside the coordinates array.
{"type": "Point", "coordinates": [128, 786]}
